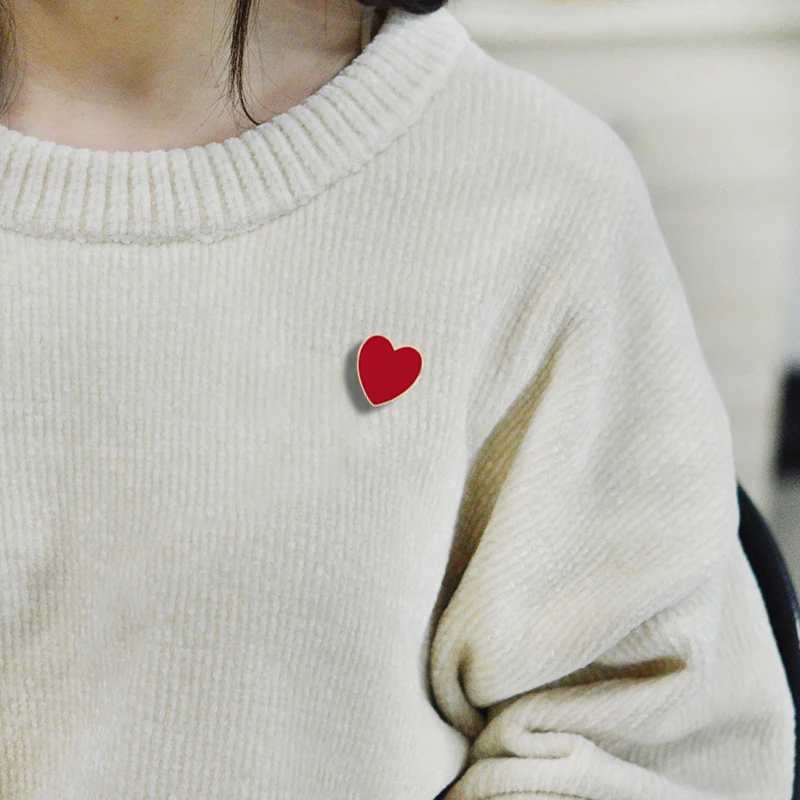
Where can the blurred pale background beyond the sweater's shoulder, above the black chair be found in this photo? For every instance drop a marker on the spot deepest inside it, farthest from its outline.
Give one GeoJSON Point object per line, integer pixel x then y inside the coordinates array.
{"type": "Point", "coordinates": [706, 95]}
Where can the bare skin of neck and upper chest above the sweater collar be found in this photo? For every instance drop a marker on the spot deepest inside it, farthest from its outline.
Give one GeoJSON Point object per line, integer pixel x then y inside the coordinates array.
{"type": "Point", "coordinates": [152, 74]}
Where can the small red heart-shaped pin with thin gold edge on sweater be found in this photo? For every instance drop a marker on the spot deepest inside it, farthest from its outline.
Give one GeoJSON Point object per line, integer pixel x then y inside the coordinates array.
{"type": "Point", "coordinates": [386, 373]}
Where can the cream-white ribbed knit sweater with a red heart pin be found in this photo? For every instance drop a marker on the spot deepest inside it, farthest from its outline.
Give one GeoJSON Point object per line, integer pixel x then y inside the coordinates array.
{"type": "Point", "coordinates": [225, 574]}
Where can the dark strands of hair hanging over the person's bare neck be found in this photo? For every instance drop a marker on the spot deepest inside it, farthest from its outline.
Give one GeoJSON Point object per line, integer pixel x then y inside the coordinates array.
{"type": "Point", "coordinates": [241, 18]}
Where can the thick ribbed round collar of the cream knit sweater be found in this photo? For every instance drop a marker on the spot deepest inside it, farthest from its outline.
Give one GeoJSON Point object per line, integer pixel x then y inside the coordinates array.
{"type": "Point", "coordinates": [207, 193]}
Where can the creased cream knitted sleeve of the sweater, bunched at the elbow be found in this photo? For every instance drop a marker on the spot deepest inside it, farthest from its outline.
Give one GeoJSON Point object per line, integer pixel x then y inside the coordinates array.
{"type": "Point", "coordinates": [606, 638]}
